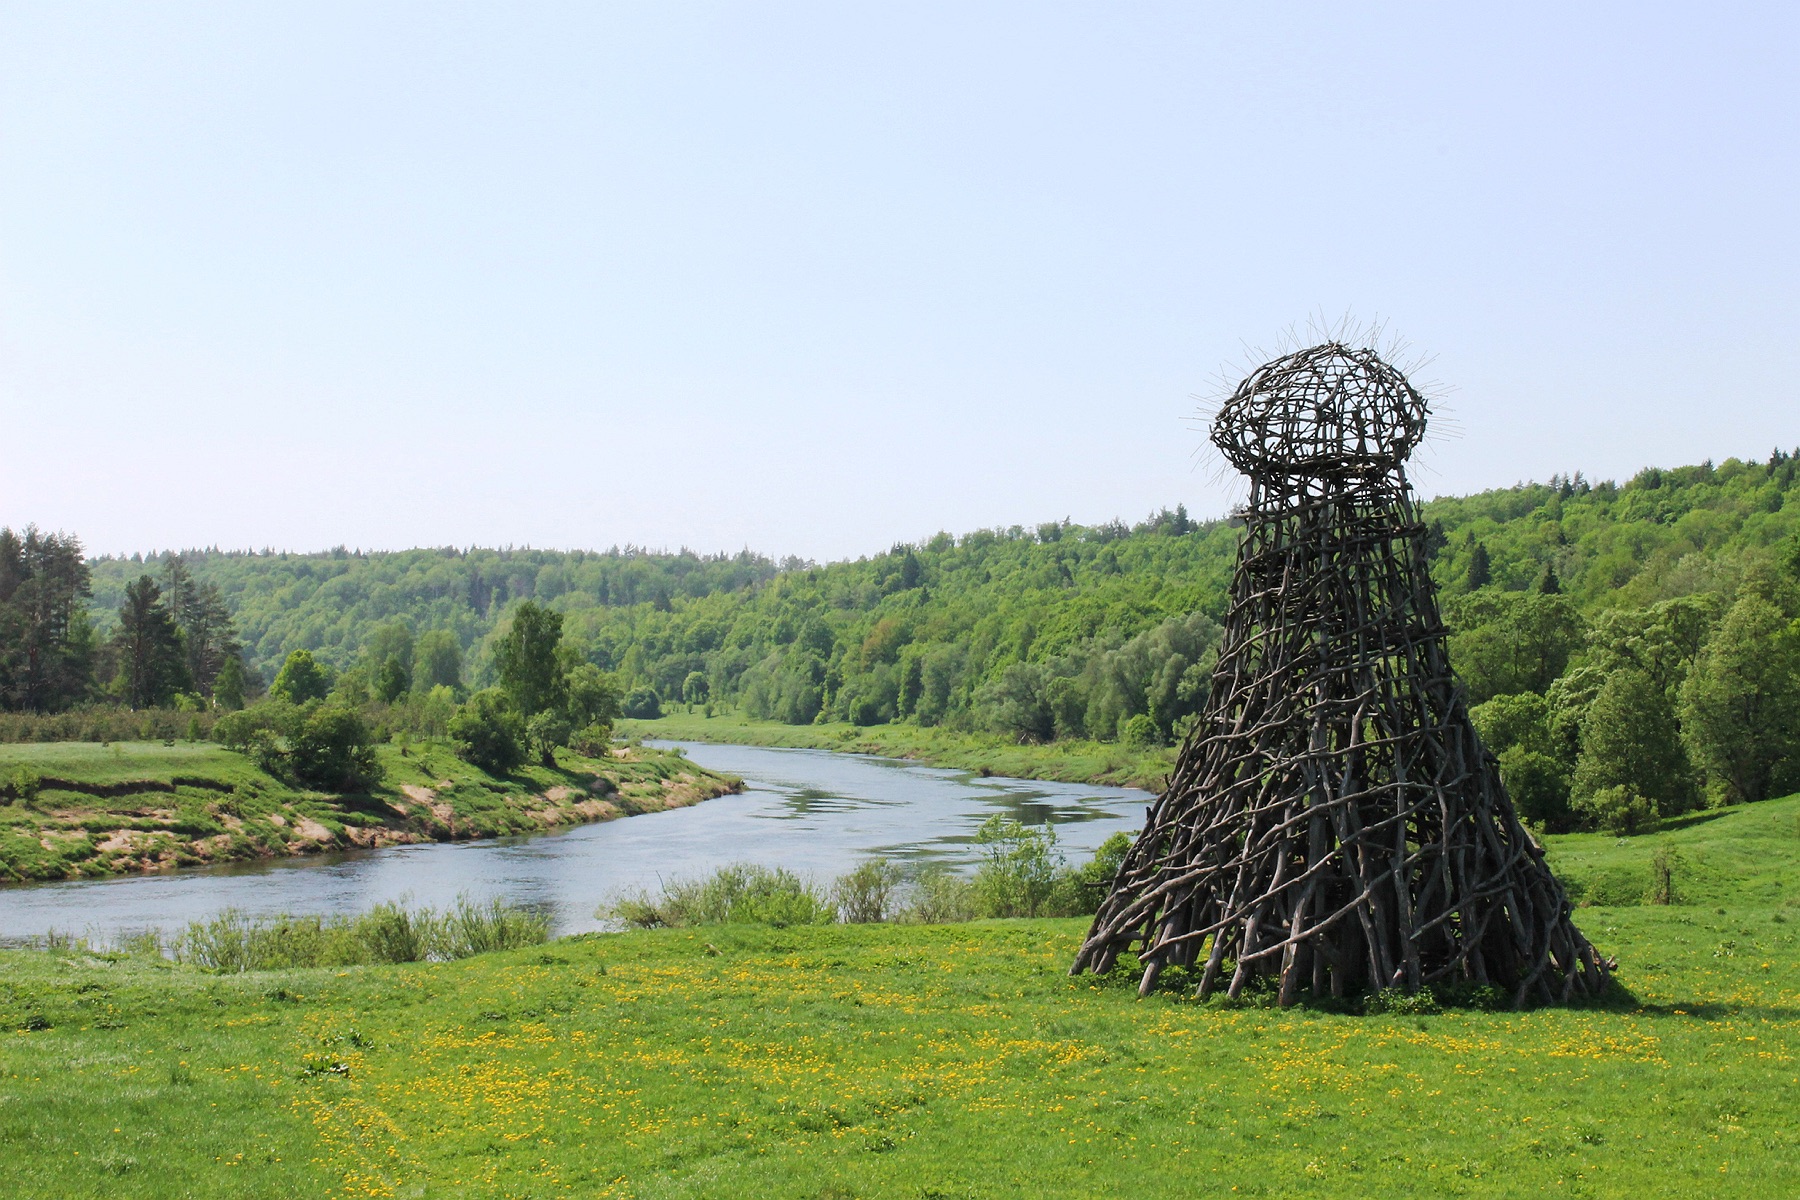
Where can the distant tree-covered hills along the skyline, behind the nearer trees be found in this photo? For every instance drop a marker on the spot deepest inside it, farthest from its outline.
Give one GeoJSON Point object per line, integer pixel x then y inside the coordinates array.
{"type": "Point", "coordinates": [921, 631]}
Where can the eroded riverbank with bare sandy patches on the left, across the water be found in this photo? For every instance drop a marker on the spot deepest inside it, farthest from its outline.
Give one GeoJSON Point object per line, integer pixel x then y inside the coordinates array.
{"type": "Point", "coordinates": [82, 810]}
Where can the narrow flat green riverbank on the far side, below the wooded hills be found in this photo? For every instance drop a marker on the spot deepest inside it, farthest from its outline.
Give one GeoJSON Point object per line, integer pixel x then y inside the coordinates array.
{"type": "Point", "coordinates": [1066, 762]}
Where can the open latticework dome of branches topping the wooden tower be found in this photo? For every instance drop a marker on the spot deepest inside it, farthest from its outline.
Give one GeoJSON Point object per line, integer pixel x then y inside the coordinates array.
{"type": "Point", "coordinates": [1322, 411]}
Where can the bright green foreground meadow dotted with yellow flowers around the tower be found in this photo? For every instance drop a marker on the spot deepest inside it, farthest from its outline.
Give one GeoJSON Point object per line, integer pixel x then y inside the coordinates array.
{"type": "Point", "coordinates": [915, 1062]}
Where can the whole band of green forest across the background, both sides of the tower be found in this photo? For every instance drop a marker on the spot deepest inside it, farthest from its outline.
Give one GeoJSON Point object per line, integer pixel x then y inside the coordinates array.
{"type": "Point", "coordinates": [1632, 649]}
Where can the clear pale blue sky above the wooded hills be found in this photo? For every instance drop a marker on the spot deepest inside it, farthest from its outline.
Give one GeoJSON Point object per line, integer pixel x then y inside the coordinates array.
{"type": "Point", "coordinates": [816, 278]}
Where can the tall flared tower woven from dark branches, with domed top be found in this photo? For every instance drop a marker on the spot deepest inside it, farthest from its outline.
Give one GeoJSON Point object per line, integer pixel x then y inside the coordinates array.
{"type": "Point", "coordinates": [1335, 823]}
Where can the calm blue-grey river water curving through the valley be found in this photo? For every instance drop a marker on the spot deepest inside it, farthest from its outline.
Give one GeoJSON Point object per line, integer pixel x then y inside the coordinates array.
{"type": "Point", "coordinates": [814, 812]}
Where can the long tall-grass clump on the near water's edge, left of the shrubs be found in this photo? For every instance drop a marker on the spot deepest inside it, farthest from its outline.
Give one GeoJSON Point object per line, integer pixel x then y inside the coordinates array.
{"type": "Point", "coordinates": [391, 933]}
